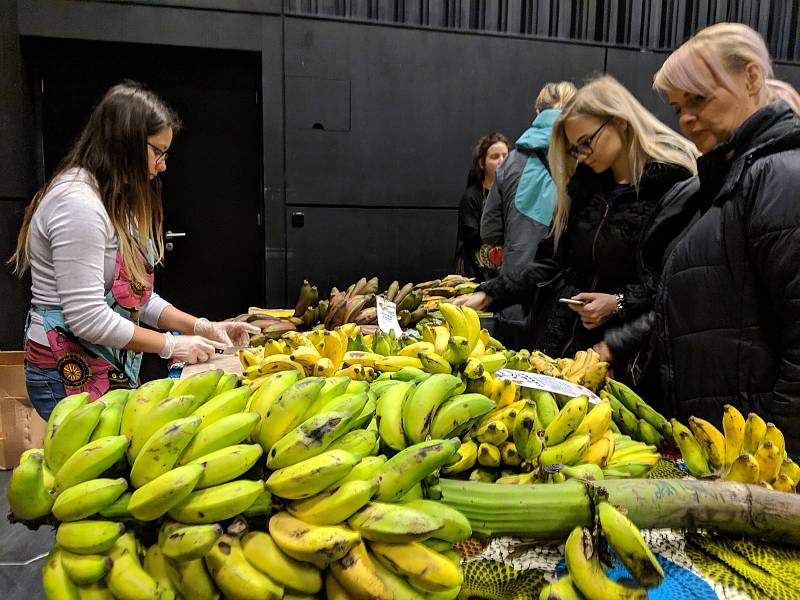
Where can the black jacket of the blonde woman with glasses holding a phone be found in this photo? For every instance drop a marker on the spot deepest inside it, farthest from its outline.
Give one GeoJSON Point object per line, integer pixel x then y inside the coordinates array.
{"type": "Point", "coordinates": [597, 252]}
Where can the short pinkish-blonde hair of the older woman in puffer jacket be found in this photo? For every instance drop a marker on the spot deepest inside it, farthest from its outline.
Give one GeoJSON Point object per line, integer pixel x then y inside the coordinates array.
{"type": "Point", "coordinates": [710, 58]}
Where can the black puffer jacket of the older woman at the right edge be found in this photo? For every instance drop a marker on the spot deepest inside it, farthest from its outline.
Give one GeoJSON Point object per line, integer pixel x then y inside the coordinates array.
{"type": "Point", "coordinates": [729, 301]}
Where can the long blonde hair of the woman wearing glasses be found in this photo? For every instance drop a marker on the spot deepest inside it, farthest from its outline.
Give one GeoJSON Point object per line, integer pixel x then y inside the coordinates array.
{"type": "Point", "coordinates": [645, 138]}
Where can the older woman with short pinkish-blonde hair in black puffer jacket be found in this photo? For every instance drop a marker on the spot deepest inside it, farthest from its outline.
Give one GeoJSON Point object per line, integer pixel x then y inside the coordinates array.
{"type": "Point", "coordinates": [729, 302]}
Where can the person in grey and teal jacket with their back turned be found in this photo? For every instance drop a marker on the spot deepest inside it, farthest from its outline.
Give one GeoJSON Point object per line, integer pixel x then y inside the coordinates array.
{"type": "Point", "coordinates": [519, 208]}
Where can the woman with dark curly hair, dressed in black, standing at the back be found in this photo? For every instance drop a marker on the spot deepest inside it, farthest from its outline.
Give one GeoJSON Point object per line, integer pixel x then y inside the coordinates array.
{"type": "Point", "coordinates": [473, 258]}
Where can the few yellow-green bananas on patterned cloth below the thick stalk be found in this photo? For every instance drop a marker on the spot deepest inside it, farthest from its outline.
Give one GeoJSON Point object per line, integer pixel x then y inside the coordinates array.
{"type": "Point", "coordinates": [587, 577]}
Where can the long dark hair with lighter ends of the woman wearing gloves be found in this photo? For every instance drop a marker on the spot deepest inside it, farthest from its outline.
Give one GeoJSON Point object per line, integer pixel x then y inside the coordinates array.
{"type": "Point", "coordinates": [113, 148]}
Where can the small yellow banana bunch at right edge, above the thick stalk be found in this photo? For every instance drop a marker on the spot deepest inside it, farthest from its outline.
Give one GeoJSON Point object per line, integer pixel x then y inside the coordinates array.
{"type": "Point", "coordinates": [749, 451]}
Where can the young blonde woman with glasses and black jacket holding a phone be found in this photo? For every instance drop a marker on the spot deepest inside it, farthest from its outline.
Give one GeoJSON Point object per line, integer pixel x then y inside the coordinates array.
{"type": "Point", "coordinates": [611, 161]}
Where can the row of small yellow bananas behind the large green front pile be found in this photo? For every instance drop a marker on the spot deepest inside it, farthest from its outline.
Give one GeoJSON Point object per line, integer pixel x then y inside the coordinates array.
{"type": "Point", "coordinates": [461, 346]}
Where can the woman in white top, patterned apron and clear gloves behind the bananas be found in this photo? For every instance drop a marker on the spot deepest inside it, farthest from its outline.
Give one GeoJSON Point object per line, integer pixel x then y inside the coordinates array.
{"type": "Point", "coordinates": [91, 238]}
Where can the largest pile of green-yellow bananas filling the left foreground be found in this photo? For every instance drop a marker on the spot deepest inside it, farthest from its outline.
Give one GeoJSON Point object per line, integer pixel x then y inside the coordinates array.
{"type": "Point", "coordinates": [140, 485]}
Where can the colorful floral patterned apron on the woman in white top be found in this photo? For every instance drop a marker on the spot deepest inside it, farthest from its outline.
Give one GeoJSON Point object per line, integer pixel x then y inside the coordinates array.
{"type": "Point", "coordinates": [86, 367]}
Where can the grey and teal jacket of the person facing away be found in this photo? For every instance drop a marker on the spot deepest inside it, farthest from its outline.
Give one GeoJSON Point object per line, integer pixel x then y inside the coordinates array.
{"type": "Point", "coordinates": [519, 209]}
